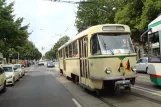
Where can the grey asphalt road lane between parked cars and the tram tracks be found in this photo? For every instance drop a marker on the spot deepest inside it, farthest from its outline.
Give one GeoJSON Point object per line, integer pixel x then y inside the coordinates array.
{"type": "Point", "coordinates": [38, 88]}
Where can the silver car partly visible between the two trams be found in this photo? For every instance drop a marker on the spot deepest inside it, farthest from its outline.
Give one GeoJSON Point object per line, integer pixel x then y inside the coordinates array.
{"type": "Point", "coordinates": [142, 64]}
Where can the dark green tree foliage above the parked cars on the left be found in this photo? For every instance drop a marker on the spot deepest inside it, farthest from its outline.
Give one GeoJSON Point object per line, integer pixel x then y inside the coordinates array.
{"type": "Point", "coordinates": [14, 35]}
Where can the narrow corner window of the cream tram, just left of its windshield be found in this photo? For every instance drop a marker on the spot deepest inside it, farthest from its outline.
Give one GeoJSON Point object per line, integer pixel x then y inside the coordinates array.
{"type": "Point", "coordinates": [95, 48]}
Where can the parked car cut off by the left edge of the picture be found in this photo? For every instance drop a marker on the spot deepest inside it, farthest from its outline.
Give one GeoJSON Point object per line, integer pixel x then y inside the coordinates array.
{"type": "Point", "coordinates": [2, 80]}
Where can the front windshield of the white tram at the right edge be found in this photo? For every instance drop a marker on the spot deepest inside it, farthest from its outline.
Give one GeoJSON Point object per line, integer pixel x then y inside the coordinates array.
{"type": "Point", "coordinates": [154, 48]}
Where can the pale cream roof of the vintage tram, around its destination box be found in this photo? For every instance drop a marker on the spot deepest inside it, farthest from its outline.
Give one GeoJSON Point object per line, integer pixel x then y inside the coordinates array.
{"type": "Point", "coordinates": [94, 29]}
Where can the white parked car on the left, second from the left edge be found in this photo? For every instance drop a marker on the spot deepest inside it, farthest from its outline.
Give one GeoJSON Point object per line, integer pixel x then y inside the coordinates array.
{"type": "Point", "coordinates": [12, 74]}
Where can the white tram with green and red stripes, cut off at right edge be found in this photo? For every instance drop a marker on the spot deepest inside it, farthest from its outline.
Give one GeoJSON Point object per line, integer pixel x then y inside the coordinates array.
{"type": "Point", "coordinates": [154, 50]}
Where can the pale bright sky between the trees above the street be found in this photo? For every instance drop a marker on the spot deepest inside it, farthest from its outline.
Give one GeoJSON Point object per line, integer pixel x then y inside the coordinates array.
{"type": "Point", "coordinates": [48, 20]}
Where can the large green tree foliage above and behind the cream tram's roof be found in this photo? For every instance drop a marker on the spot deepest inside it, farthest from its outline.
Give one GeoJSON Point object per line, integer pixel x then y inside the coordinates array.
{"type": "Point", "coordinates": [135, 13]}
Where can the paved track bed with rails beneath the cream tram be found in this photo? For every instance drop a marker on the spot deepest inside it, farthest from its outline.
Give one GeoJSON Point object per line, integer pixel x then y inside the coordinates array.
{"type": "Point", "coordinates": [140, 96]}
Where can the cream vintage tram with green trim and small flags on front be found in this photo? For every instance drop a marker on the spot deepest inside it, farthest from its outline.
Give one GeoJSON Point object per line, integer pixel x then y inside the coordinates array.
{"type": "Point", "coordinates": [101, 57]}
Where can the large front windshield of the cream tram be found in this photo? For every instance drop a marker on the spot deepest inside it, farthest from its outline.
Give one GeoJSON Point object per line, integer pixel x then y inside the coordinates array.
{"type": "Point", "coordinates": [115, 44]}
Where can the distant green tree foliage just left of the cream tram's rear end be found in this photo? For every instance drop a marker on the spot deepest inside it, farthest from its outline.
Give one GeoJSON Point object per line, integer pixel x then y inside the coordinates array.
{"type": "Point", "coordinates": [52, 54]}
